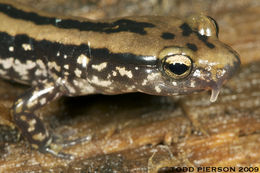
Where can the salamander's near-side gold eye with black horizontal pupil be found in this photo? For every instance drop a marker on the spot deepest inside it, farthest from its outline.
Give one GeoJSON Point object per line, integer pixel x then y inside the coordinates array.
{"type": "Point", "coordinates": [177, 66]}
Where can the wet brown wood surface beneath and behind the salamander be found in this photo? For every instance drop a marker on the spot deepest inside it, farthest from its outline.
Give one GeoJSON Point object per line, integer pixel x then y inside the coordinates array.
{"type": "Point", "coordinates": [143, 133]}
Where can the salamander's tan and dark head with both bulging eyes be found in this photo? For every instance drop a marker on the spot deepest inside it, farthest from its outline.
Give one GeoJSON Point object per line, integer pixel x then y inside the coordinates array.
{"type": "Point", "coordinates": [204, 63]}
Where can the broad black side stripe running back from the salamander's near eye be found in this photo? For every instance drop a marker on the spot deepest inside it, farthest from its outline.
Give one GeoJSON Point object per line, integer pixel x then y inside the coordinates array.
{"type": "Point", "coordinates": [48, 50]}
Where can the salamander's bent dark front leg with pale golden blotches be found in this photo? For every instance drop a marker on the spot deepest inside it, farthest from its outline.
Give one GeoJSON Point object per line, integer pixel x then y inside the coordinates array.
{"type": "Point", "coordinates": [31, 126]}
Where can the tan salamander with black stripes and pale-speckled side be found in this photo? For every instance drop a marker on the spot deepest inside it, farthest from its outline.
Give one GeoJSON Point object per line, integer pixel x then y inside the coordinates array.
{"type": "Point", "coordinates": [70, 56]}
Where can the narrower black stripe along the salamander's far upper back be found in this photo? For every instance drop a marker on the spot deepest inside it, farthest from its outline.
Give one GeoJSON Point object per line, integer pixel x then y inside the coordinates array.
{"type": "Point", "coordinates": [117, 26]}
